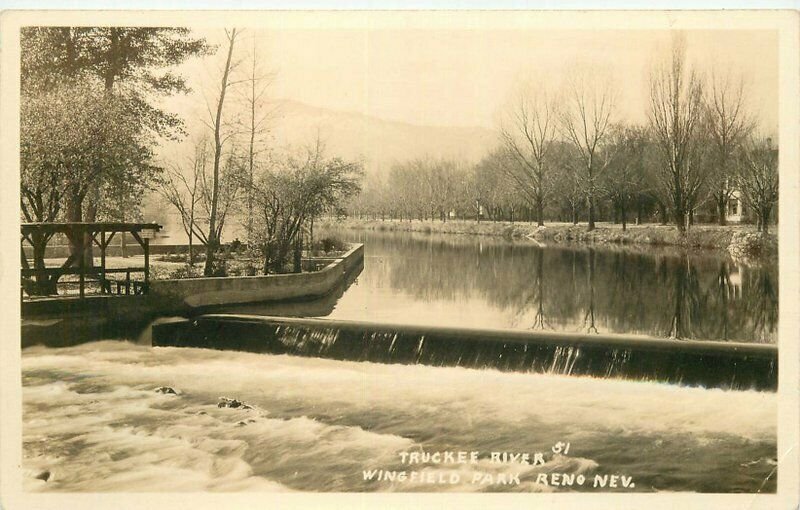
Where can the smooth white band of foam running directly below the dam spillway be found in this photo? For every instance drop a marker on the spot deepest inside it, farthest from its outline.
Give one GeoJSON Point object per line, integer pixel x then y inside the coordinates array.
{"type": "Point", "coordinates": [627, 405]}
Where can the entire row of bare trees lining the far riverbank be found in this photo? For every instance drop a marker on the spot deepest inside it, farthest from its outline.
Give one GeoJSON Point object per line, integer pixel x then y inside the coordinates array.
{"type": "Point", "coordinates": [565, 159]}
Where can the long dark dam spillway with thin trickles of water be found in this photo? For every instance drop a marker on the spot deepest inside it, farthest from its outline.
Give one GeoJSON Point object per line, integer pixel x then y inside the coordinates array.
{"type": "Point", "coordinates": [725, 365]}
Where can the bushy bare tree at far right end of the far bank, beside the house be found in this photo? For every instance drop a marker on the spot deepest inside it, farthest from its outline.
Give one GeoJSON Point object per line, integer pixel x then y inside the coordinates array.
{"type": "Point", "coordinates": [757, 179]}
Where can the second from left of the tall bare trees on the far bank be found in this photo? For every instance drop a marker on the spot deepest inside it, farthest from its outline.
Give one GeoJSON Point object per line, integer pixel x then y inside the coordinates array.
{"type": "Point", "coordinates": [585, 121]}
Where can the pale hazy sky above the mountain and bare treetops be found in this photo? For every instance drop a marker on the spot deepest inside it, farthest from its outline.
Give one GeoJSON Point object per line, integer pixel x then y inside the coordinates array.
{"type": "Point", "coordinates": [464, 77]}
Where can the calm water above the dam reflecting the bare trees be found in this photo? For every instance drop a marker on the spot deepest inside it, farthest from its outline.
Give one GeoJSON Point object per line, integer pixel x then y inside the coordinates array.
{"type": "Point", "coordinates": [485, 282]}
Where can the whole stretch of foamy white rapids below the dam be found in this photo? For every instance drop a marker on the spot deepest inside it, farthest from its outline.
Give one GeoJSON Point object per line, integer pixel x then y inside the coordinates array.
{"type": "Point", "coordinates": [93, 419]}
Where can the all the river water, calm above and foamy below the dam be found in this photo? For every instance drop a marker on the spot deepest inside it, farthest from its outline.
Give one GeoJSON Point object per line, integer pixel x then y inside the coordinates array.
{"type": "Point", "coordinates": [93, 419]}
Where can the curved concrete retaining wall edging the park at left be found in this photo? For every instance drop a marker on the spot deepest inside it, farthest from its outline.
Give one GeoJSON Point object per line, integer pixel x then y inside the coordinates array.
{"type": "Point", "coordinates": [205, 292]}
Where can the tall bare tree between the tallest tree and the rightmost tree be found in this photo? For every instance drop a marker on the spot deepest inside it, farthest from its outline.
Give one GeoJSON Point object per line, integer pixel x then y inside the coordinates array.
{"type": "Point", "coordinates": [728, 125]}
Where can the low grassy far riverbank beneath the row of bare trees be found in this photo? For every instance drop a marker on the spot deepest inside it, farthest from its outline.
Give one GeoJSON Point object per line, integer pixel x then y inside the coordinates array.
{"type": "Point", "coordinates": [740, 241]}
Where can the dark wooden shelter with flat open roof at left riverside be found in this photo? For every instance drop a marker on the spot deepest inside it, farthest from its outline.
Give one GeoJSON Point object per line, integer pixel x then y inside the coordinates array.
{"type": "Point", "coordinates": [41, 280]}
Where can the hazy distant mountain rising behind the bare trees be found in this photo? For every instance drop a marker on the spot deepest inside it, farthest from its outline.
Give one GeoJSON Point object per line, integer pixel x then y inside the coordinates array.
{"type": "Point", "coordinates": [379, 143]}
